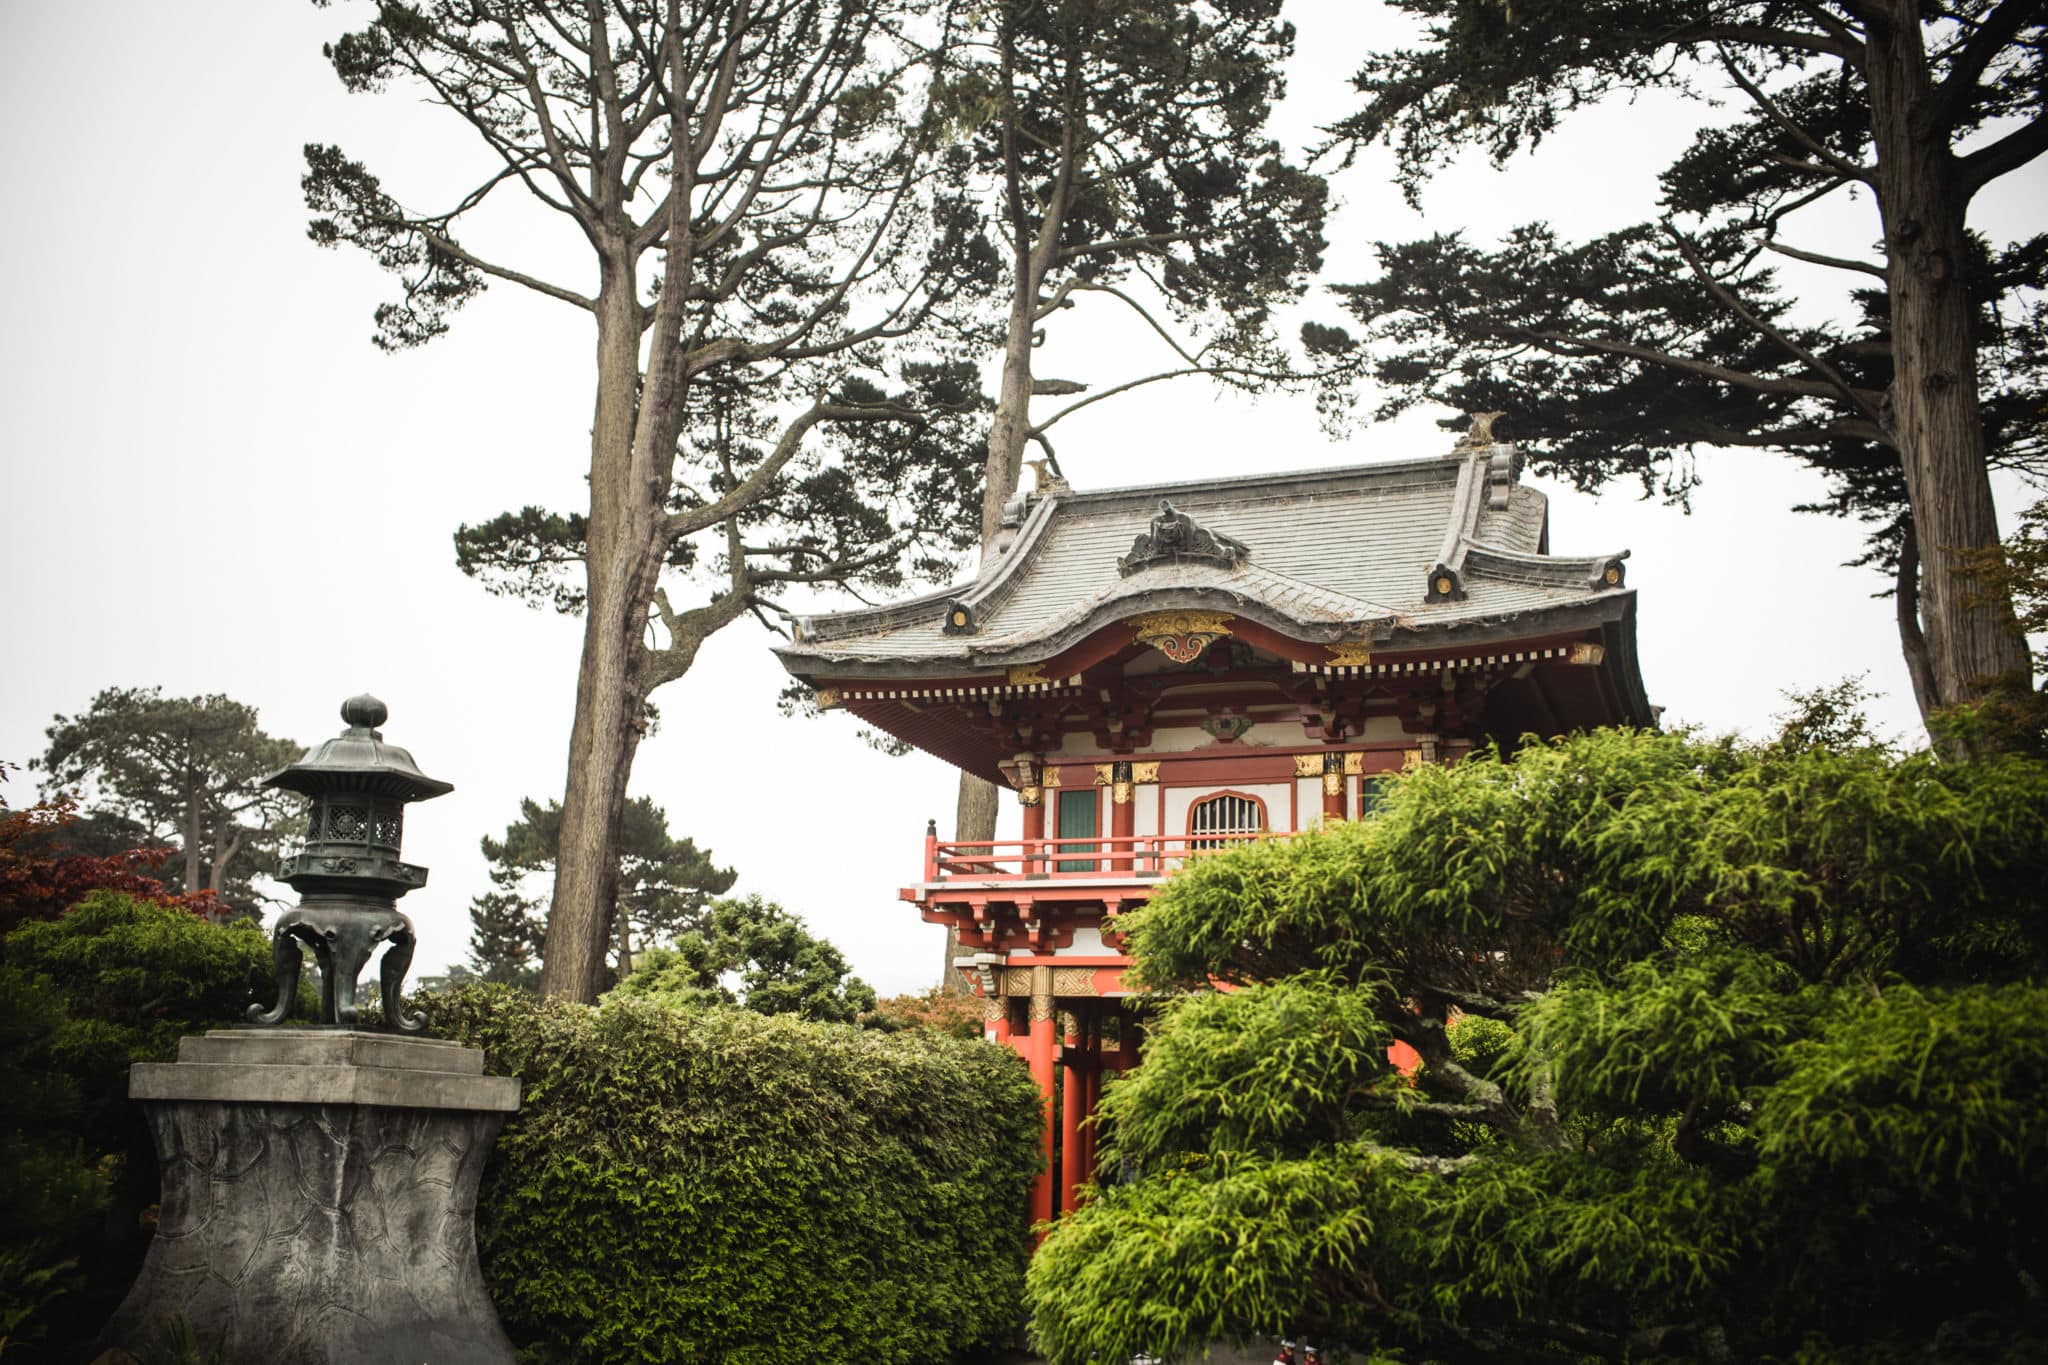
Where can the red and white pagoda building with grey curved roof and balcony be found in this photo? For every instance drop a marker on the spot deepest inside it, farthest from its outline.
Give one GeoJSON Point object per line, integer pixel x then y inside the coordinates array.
{"type": "Point", "coordinates": [1162, 672]}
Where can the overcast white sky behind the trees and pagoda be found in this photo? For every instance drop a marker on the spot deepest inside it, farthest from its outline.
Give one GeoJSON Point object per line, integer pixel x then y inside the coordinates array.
{"type": "Point", "coordinates": [212, 482]}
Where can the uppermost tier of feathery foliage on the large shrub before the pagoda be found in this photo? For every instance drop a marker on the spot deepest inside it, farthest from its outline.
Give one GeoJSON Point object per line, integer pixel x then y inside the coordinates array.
{"type": "Point", "coordinates": [1596, 850]}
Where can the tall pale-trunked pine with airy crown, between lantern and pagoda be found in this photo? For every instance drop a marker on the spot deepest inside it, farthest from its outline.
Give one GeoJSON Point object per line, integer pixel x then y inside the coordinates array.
{"type": "Point", "coordinates": [767, 236]}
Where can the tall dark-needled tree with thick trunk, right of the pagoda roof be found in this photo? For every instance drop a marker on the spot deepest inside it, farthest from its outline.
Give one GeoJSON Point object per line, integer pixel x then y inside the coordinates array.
{"type": "Point", "coordinates": [1676, 333]}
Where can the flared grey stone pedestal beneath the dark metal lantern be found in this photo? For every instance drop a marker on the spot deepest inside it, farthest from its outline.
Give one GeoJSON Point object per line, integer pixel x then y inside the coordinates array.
{"type": "Point", "coordinates": [321, 1198]}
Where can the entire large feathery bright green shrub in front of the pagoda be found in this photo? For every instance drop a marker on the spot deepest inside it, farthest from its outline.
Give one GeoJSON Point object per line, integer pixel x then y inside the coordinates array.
{"type": "Point", "coordinates": [1730, 1053]}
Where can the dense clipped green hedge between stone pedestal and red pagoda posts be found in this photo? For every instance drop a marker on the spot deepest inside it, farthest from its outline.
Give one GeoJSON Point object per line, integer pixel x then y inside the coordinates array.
{"type": "Point", "coordinates": [720, 1186]}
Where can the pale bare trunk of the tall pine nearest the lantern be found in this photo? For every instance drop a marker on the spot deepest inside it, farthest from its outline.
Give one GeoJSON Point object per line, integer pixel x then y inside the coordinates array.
{"type": "Point", "coordinates": [611, 676]}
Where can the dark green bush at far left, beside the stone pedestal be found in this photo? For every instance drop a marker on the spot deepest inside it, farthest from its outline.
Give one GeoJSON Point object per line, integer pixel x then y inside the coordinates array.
{"type": "Point", "coordinates": [112, 983]}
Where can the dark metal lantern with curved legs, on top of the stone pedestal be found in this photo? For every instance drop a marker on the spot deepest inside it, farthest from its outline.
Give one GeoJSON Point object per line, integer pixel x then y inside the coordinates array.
{"type": "Point", "coordinates": [349, 875]}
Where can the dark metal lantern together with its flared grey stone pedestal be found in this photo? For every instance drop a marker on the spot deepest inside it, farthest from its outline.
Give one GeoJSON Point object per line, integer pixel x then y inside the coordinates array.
{"type": "Point", "coordinates": [321, 1184]}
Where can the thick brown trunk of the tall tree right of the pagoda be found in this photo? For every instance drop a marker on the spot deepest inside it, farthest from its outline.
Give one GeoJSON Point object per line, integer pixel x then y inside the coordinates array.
{"type": "Point", "coordinates": [1934, 408]}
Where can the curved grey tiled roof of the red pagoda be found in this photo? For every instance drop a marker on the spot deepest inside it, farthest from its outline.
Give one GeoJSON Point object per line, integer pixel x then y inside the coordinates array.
{"type": "Point", "coordinates": [1408, 549]}
